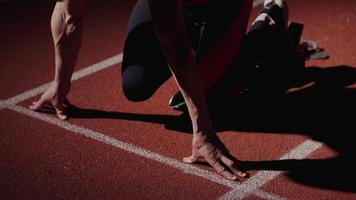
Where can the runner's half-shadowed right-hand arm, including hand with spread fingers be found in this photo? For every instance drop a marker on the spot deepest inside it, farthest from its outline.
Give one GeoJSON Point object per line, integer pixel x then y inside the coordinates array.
{"type": "Point", "coordinates": [169, 25]}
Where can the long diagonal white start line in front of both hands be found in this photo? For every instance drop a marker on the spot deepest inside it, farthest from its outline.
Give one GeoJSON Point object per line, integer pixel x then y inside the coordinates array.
{"type": "Point", "coordinates": [190, 169]}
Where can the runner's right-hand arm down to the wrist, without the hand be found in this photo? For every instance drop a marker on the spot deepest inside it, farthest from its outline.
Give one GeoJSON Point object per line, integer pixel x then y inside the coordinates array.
{"type": "Point", "coordinates": [170, 28]}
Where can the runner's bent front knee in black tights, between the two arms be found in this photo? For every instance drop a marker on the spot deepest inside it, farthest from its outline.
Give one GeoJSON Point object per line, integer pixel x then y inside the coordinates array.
{"type": "Point", "coordinates": [144, 66]}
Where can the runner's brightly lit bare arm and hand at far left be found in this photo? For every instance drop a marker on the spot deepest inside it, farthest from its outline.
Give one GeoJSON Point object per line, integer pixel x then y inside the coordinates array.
{"type": "Point", "coordinates": [66, 25]}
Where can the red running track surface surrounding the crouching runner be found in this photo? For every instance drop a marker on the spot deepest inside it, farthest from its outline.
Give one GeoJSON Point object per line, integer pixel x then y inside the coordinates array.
{"type": "Point", "coordinates": [39, 159]}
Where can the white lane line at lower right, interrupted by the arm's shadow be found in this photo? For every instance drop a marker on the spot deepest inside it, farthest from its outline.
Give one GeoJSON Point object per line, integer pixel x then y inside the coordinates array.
{"type": "Point", "coordinates": [262, 177]}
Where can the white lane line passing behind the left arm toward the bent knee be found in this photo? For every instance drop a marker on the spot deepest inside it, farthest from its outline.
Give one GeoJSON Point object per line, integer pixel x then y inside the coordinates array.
{"type": "Point", "coordinates": [77, 75]}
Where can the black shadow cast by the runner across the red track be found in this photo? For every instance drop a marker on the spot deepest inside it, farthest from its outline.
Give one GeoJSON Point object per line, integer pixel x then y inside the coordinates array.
{"type": "Point", "coordinates": [323, 108]}
